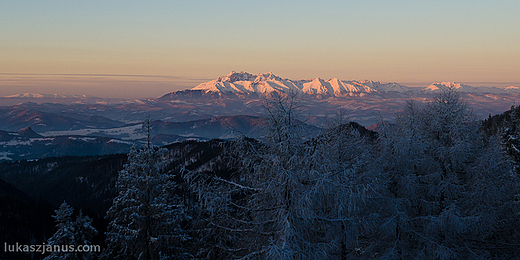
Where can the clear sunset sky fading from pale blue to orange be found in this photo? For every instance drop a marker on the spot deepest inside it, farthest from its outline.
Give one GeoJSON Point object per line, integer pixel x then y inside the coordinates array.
{"type": "Point", "coordinates": [143, 49]}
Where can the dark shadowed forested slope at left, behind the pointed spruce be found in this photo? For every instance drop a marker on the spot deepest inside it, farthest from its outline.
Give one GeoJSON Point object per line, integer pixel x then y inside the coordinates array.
{"type": "Point", "coordinates": [86, 183]}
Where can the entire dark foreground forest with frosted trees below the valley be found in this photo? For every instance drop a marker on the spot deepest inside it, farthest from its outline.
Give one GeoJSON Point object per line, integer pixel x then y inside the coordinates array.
{"type": "Point", "coordinates": [437, 184]}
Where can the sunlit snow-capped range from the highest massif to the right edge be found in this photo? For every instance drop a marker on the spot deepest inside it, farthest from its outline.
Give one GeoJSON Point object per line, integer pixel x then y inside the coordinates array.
{"type": "Point", "coordinates": [246, 83]}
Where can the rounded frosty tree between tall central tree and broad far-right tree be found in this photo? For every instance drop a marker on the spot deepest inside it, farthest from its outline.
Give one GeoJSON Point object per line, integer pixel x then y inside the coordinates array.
{"type": "Point", "coordinates": [345, 192]}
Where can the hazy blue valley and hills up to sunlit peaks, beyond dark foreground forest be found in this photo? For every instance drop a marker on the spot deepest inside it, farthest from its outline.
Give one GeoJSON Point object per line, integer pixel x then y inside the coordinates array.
{"type": "Point", "coordinates": [224, 108]}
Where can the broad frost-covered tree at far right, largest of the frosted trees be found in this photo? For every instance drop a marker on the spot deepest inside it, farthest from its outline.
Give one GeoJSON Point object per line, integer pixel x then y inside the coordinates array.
{"type": "Point", "coordinates": [449, 189]}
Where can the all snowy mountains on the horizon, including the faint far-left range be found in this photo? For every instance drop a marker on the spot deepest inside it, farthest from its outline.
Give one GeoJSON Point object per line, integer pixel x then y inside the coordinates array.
{"type": "Point", "coordinates": [244, 83]}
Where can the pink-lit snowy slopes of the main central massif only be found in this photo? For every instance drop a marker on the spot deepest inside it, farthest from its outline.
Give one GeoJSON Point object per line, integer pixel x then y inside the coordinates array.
{"type": "Point", "coordinates": [246, 83]}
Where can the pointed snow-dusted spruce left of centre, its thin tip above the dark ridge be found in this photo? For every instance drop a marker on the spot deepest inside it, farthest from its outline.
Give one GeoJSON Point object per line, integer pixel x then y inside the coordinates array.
{"type": "Point", "coordinates": [145, 218]}
